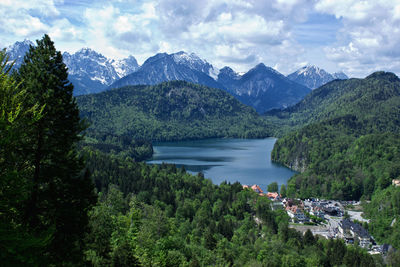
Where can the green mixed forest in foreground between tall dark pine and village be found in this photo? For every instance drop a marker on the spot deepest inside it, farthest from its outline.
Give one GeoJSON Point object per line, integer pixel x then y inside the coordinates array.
{"type": "Point", "coordinates": [162, 216]}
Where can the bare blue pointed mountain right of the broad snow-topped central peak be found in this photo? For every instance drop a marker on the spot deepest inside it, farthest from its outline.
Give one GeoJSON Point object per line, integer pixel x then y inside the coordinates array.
{"type": "Point", "coordinates": [263, 88]}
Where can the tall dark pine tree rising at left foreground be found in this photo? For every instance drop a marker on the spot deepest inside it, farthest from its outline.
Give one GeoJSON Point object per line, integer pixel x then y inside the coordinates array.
{"type": "Point", "coordinates": [61, 192]}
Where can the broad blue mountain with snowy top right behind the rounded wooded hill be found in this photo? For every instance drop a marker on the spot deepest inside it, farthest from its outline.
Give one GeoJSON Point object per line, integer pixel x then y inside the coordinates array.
{"type": "Point", "coordinates": [169, 67]}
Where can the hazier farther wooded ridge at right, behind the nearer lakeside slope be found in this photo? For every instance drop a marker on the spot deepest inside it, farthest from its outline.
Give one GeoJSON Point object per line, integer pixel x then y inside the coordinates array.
{"type": "Point", "coordinates": [373, 100]}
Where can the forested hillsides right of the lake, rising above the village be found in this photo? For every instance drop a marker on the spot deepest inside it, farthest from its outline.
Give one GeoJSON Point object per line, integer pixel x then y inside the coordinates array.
{"type": "Point", "coordinates": [335, 121]}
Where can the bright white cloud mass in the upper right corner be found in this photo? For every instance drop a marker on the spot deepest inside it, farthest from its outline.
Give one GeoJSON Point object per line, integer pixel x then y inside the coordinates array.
{"type": "Point", "coordinates": [370, 36]}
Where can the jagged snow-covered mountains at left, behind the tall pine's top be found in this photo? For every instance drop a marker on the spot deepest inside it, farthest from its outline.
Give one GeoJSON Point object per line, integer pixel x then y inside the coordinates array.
{"type": "Point", "coordinates": [89, 71]}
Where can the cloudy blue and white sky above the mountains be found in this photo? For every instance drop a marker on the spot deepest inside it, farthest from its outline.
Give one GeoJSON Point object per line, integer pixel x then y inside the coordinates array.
{"type": "Point", "coordinates": [357, 37]}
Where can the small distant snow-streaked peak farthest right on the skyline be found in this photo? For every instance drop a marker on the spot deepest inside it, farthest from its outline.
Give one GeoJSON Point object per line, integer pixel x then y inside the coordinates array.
{"type": "Point", "coordinates": [314, 77]}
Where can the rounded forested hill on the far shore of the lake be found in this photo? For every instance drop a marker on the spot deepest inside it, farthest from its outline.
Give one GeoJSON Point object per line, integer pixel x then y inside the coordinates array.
{"type": "Point", "coordinates": [170, 111]}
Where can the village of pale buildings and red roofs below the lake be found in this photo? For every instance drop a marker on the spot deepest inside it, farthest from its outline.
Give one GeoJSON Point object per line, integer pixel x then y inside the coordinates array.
{"type": "Point", "coordinates": [326, 218]}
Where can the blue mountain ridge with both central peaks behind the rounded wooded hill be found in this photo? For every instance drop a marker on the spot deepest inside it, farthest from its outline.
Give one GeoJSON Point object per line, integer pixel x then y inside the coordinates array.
{"type": "Point", "coordinates": [261, 87]}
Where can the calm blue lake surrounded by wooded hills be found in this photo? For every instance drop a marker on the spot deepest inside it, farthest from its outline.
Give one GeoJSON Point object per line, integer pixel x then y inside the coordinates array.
{"type": "Point", "coordinates": [245, 160]}
